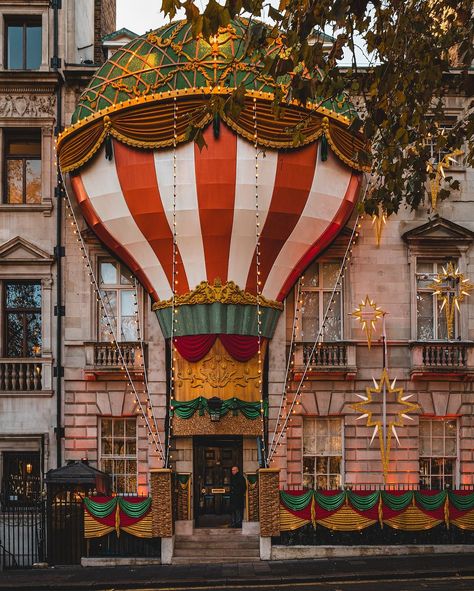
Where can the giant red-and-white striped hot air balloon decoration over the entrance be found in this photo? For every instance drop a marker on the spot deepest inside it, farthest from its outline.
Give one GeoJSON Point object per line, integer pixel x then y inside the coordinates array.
{"type": "Point", "coordinates": [169, 209]}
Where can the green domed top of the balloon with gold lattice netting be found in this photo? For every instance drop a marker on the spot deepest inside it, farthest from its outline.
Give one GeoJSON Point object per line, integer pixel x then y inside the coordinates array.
{"type": "Point", "coordinates": [170, 59]}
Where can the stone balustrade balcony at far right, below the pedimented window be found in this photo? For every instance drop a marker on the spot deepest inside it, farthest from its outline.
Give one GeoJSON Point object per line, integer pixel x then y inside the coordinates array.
{"type": "Point", "coordinates": [442, 360]}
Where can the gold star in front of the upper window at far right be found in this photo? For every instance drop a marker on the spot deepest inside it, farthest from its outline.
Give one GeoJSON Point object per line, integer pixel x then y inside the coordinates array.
{"type": "Point", "coordinates": [451, 287]}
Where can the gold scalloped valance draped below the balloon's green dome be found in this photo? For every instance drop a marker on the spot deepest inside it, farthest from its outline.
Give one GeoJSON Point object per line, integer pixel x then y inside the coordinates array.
{"type": "Point", "coordinates": [148, 122]}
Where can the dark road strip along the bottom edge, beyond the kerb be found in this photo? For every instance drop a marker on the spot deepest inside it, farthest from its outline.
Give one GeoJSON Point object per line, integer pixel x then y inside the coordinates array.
{"type": "Point", "coordinates": [429, 584]}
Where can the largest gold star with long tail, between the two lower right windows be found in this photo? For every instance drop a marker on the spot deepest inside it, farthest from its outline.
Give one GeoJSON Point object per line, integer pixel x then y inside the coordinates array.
{"type": "Point", "coordinates": [384, 387]}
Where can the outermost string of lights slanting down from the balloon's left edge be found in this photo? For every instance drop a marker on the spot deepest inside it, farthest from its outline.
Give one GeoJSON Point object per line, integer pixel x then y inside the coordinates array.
{"type": "Point", "coordinates": [113, 338]}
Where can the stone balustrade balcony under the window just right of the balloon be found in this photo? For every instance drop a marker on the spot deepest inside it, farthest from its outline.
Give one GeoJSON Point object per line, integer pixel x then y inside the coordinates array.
{"type": "Point", "coordinates": [334, 360]}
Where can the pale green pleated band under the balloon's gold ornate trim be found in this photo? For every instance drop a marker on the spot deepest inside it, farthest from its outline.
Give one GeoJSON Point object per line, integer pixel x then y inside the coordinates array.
{"type": "Point", "coordinates": [218, 318]}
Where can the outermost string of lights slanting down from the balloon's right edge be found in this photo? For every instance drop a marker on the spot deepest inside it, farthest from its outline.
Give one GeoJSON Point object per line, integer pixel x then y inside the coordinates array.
{"type": "Point", "coordinates": [285, 421]}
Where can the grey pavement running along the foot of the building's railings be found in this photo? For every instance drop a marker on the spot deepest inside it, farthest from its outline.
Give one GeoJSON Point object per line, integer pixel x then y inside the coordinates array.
{"type": "Point", "coordinates": [234, 574]}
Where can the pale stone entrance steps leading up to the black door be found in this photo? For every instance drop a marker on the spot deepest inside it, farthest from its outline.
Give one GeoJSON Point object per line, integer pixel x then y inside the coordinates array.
{"type": "Point", "coordinates": [216, 546]}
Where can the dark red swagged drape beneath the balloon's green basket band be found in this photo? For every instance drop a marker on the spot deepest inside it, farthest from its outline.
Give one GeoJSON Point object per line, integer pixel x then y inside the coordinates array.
{"type": "Point", "coordinates": [195, 347]}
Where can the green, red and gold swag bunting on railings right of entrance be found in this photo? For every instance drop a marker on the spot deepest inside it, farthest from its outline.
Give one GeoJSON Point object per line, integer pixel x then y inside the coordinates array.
{"type": "Point", "coordinates": [353, 511]}
